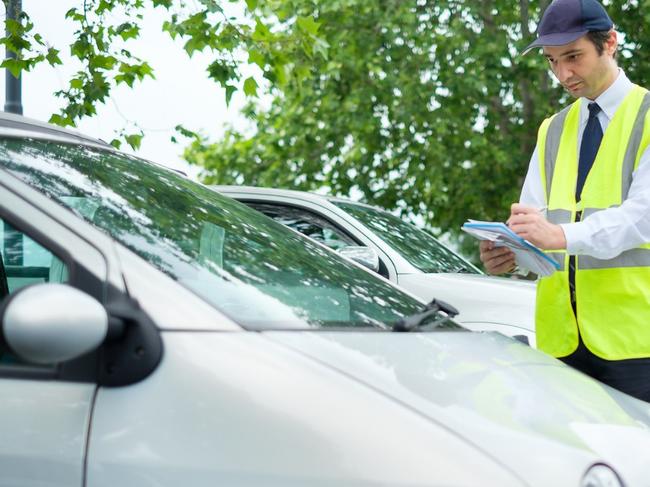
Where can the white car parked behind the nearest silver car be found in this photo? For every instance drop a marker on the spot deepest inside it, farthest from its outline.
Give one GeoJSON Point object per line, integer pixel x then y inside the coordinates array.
{"type": "Point", "coordinates": [406, 255]}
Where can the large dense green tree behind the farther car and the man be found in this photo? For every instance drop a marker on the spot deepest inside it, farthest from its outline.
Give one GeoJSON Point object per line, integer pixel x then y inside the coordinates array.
{"type": "Point", "coordinates": [425, 107]}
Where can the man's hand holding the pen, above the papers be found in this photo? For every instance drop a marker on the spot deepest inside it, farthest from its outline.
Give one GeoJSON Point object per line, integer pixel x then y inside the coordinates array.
{"type": "Point", "coordinates": [529, 223]}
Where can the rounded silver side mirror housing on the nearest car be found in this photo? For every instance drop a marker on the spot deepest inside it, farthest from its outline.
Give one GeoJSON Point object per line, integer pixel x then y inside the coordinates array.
{"type": "Point", "coordinates": [52, 323]}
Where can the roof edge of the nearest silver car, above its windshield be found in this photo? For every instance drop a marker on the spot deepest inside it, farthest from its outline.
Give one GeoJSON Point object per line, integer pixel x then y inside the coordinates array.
{"type": "Point", "coordinates": [12, 125]}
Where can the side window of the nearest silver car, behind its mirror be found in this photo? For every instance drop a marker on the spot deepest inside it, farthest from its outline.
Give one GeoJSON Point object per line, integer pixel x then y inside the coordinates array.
{"type": "Point", "coordinates": [23, 261]}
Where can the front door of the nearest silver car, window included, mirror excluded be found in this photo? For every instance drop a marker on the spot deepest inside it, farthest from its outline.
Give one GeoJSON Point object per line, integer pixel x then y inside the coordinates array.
{"type": "Point", "coordinates": [45, 410]}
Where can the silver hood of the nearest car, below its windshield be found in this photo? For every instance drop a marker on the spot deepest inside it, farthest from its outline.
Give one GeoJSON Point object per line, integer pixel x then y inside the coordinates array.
{"type": "Point", "coordinates": [515, 403]}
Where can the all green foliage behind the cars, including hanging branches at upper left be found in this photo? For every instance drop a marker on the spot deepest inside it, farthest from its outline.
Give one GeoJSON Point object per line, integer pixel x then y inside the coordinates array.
{"type": "Point", "coordinates": [424, 107]}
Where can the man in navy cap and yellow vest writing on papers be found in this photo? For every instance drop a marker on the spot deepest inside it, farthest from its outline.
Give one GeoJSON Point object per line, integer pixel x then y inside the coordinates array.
{"type": "Point", "coordinates": [590, 174]}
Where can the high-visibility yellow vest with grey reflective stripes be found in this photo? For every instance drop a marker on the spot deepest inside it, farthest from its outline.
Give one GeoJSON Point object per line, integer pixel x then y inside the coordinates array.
{"type": "Point", "coordinates": [612, 295]}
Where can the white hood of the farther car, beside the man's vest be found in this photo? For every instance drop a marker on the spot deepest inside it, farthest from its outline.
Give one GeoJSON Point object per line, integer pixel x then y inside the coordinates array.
{"type": "Point", "coordinates": [479, 298]}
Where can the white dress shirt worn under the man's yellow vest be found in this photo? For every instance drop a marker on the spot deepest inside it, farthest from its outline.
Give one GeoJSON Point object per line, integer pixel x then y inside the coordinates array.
{"type": "Point", "coordinates": [607, 233]}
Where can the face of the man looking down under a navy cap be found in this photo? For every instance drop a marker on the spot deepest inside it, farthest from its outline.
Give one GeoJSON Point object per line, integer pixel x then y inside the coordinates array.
{"type": "Point", "coordinates": [580, 69]}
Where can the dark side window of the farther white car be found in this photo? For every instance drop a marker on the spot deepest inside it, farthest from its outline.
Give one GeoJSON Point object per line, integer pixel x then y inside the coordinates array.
{"type": "Point", "coordinates": [307, 223]}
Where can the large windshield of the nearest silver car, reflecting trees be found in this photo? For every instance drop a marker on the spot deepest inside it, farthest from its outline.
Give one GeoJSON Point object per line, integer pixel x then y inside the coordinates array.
{"type": "Point", "coordinates": [260, 273]}
